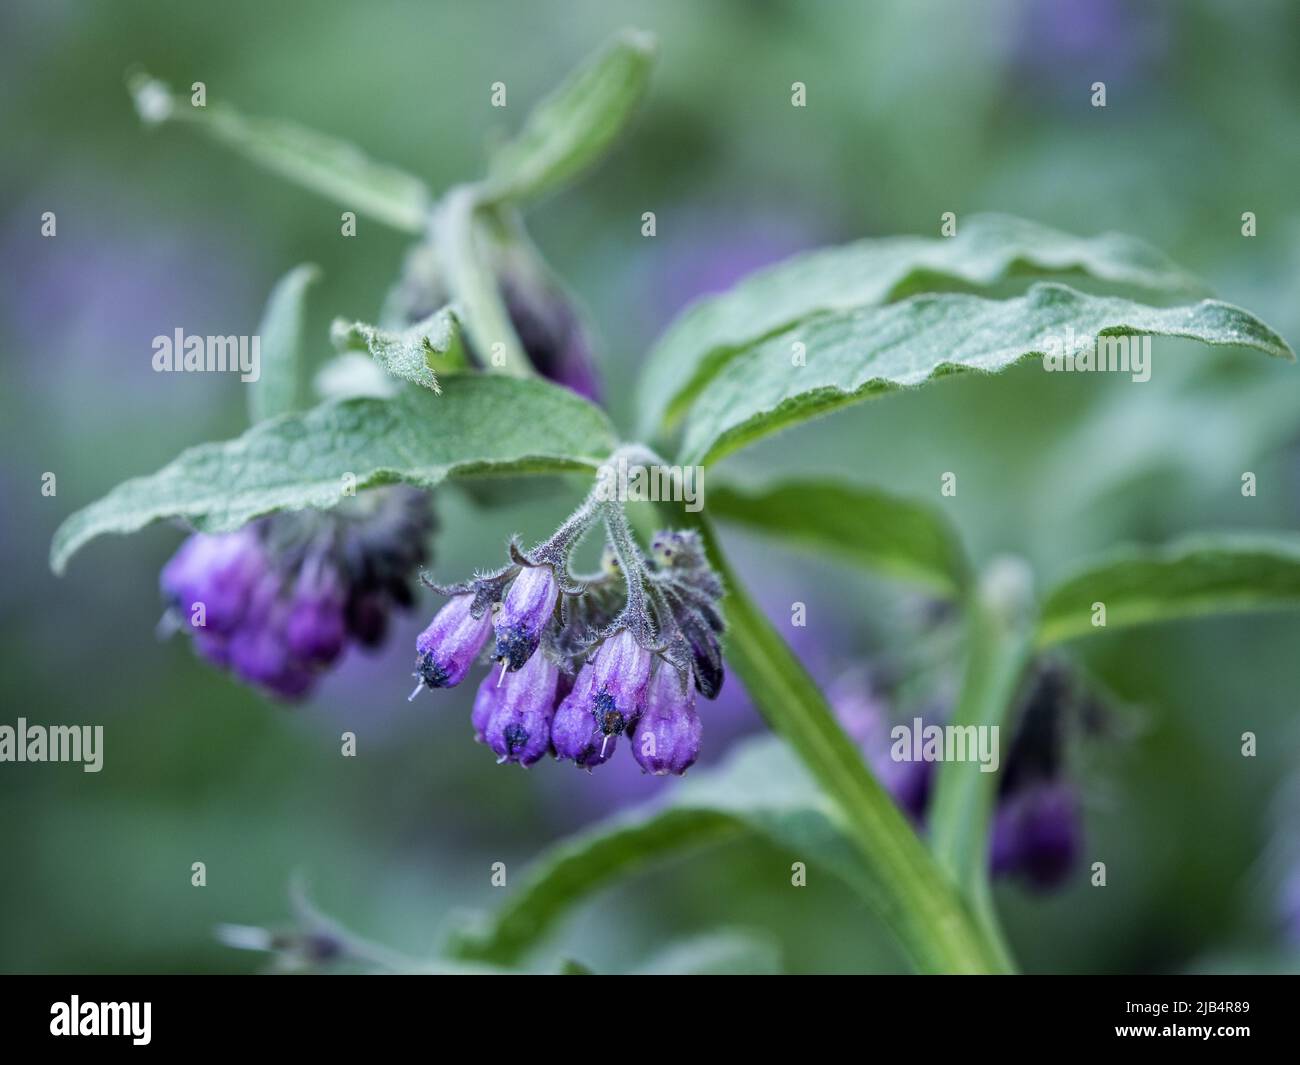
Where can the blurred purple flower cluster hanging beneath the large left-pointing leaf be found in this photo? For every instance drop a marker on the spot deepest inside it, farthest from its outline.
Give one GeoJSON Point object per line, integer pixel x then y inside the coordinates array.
{"type": "Point", "coordinates": [279, 601]}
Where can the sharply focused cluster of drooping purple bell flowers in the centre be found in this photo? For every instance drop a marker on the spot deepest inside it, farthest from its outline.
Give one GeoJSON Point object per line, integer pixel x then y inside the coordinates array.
{"type": "Point", "coordinates": [577, 672]}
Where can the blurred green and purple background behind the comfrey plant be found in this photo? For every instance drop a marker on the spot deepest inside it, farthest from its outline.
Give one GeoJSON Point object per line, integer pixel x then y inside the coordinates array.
{"type": "Point", "coordinates": [915, 110]}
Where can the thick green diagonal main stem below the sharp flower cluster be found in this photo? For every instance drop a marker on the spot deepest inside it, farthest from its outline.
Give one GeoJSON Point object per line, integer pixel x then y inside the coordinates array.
{"type": "Point", "coordinates": [908, 890]}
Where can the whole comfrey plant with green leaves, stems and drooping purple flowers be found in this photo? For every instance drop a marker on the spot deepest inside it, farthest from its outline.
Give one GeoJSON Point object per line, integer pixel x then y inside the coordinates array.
{"type": "Point", "coordinates": [298, 521]}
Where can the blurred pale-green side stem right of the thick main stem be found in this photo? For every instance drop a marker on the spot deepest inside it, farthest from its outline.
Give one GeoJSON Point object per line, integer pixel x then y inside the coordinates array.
{"type": "Point", "coordinates": [999, 648]}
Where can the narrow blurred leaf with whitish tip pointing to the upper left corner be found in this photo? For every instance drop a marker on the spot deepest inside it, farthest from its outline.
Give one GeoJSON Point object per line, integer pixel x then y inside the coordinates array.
{"type": "Point", "coordinates": [315, 161]}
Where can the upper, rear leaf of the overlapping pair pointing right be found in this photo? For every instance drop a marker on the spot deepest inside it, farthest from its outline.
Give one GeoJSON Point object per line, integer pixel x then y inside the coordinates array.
{"type": "Point", "coordinates": [987, 250]}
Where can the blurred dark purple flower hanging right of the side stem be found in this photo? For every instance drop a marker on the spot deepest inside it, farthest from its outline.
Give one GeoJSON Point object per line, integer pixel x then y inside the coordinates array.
{"type": "Point", "coordinates": [1038, 834]}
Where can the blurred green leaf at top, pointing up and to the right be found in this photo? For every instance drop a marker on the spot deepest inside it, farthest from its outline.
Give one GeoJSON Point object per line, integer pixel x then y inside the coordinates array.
{"type": "Point", "coordinates": [575, 125]}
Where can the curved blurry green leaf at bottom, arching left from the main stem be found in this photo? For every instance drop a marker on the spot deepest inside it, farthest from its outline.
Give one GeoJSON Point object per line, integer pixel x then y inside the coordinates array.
{"type": "Point", "coordinates": [761, 789]}
